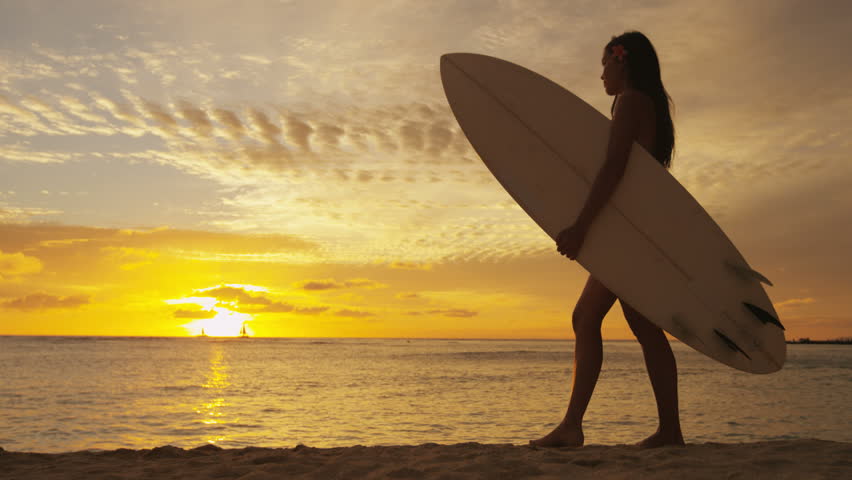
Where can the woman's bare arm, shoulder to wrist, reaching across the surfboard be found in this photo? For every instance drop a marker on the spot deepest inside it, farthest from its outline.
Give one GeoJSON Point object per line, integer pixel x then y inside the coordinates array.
{"type": "Point", "coordinates": [623, 131]}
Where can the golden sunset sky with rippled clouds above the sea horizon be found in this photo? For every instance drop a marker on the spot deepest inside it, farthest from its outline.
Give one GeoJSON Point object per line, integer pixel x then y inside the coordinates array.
{"type": "Point", "coordinates": [294, 166]}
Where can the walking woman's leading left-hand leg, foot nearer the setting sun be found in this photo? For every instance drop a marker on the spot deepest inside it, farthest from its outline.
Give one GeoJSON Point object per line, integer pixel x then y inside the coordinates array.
{"type": "Point", "coordinates": [594, 303]}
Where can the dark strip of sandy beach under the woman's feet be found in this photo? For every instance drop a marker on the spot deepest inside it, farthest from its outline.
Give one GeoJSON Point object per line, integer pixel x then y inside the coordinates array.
{"type": "Point", "coordinates": [794, 459]}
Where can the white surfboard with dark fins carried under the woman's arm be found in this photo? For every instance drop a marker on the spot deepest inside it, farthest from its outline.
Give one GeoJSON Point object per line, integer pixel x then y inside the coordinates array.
{"type": "Point", "coordinates": [652, 244]}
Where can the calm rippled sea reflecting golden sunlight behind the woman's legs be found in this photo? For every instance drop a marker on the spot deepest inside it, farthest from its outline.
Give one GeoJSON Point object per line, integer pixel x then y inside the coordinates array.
{"type": "Point", "coordinates": [62, 394]}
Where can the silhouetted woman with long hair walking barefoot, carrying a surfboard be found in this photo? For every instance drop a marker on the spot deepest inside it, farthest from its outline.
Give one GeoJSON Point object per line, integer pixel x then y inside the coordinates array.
{"type": "Point", "coordinates": [640, 112]}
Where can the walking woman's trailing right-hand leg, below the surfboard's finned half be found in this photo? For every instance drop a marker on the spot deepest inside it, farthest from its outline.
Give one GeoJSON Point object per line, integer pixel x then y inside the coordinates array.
{"type": "Point", "coordinates": [662, 369]}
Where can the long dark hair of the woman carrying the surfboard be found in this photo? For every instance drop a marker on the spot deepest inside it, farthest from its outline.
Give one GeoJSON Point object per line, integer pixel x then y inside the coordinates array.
{"type": "Point", "coordinates": [643, 73]}
